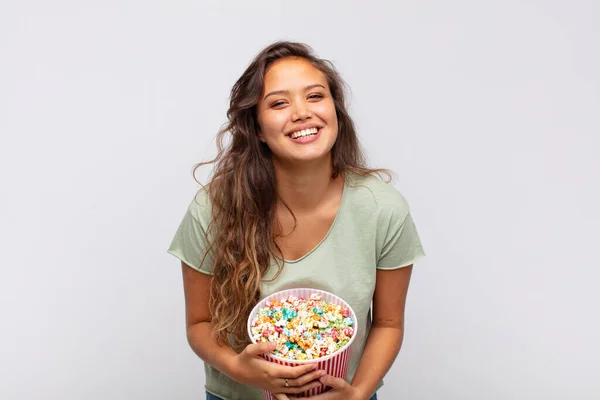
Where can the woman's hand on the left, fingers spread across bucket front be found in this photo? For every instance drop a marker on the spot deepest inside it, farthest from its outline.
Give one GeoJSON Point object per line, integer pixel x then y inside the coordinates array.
{"type": "Point", "coordinates": [255, 371]}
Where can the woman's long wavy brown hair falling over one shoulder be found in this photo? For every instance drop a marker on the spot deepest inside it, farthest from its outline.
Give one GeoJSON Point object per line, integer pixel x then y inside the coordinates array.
{"type": "Point", "coordinates": [243, 193]}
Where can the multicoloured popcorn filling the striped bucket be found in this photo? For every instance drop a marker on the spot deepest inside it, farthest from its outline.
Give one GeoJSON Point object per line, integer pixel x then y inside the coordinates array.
{"type": "Point", "coordinates": [304, 329]}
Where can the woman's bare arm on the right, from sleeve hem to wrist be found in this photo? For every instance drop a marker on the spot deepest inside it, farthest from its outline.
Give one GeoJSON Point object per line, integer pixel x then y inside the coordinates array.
{"type": "Point", "coordinates": [385, 337]}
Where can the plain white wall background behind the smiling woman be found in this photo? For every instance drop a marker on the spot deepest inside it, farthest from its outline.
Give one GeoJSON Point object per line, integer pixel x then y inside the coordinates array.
{"type": "Point", "coordinates": [489, 112]}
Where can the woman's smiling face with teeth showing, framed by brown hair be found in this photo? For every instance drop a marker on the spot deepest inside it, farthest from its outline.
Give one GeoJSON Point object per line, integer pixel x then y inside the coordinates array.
{"type": "Point", "coordinates": [296, 112]}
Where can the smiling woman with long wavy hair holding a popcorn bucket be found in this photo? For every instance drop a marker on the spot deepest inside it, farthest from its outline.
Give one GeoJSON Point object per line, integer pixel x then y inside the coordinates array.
{"type": "Point", "coordinates": [292, 204]}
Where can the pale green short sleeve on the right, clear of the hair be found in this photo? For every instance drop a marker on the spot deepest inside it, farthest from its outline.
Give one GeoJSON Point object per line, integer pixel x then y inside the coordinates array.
{"type": "Point", "coordinates": [401, 245]}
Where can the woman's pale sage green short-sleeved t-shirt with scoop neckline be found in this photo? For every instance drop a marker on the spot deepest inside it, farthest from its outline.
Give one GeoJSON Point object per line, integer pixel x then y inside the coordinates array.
{"type": "Point", "coordinates": [373, 229]}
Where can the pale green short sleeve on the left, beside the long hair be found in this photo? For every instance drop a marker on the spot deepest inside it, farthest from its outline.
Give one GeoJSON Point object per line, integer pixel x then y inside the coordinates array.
{"type": "Point", "coordinates": [190, 242]}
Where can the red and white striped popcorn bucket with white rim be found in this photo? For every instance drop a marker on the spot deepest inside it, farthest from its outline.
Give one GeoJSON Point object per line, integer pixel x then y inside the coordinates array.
{"type": "Point", "coordinates": [335, 364]}
